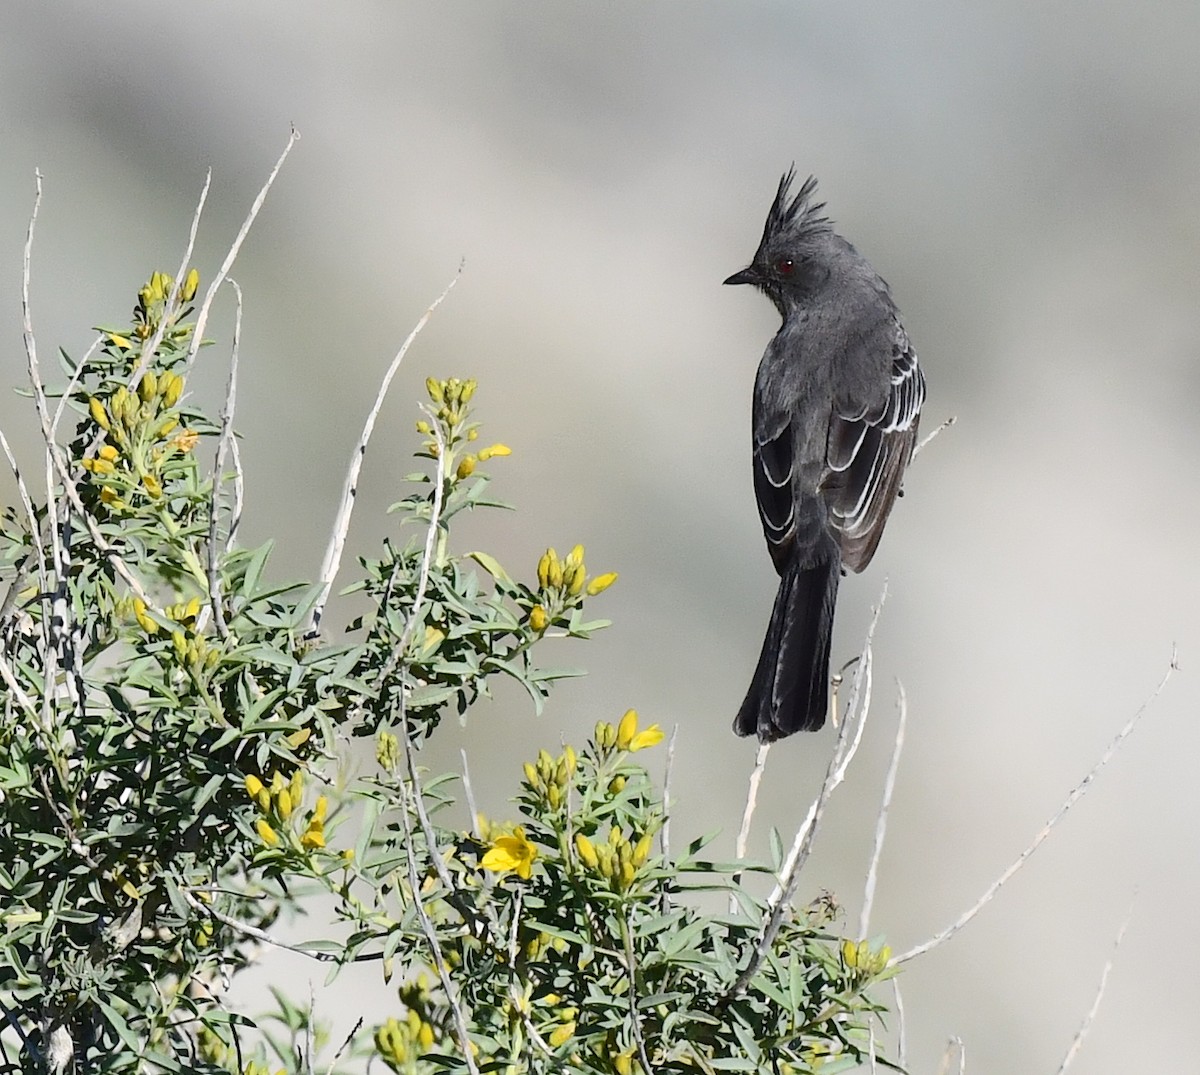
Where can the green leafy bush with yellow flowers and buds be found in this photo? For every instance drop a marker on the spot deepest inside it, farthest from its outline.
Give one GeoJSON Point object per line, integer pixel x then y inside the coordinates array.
{"type": "Point", "coordinates": [173, 720]}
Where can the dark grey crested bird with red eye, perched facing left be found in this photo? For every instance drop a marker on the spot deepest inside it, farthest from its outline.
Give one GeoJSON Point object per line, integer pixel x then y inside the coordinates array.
{"type": "Point", "coordinates": [837, 403]}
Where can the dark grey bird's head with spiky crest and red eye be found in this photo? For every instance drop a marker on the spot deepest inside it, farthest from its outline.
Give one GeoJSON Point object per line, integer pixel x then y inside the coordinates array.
{"type": "Point", "coordinates": [799, 248]}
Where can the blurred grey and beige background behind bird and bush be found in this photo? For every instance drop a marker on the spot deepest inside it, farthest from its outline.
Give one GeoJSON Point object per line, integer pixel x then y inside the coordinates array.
{"type": "Point", "coordinates": [1025, 176]}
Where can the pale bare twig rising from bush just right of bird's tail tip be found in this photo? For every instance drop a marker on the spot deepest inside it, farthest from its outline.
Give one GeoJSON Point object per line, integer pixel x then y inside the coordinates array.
{"type": "Point", "coordinates": [779, 903]}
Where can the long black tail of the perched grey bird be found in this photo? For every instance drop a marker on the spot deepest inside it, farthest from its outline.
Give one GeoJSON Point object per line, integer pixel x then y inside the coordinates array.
{"type": "Point", "coordinates": [790, 690]}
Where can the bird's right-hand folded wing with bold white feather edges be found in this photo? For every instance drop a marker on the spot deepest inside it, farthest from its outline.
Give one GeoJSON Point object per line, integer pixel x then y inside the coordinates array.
{"type": "Point", "coordinates": [868, 451]}
